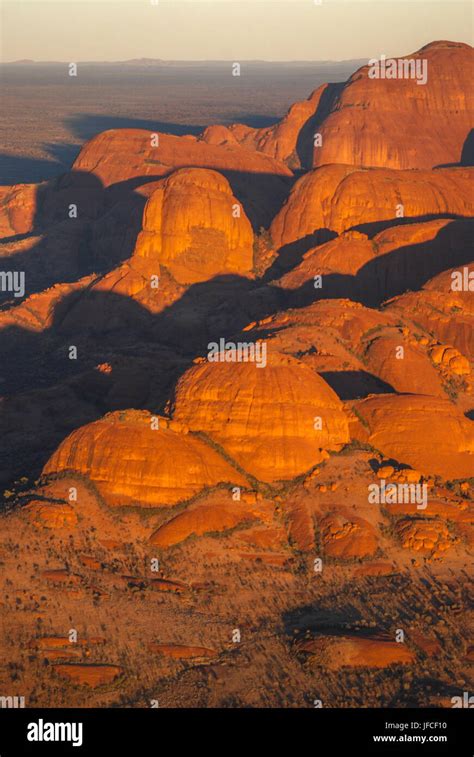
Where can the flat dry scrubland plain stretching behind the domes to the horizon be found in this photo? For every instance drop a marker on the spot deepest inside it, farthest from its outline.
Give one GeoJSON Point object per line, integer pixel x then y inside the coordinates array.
{"type": "Point", "coordinates": [47, 117]}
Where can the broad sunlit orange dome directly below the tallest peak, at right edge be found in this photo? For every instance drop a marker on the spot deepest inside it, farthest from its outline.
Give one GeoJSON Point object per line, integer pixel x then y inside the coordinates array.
{"type": "Point", "coordinates": [341, 197]}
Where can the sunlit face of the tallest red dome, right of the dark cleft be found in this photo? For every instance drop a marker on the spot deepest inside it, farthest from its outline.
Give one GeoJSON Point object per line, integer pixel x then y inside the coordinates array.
{"type": "Point", "coordinates": [398, 123]}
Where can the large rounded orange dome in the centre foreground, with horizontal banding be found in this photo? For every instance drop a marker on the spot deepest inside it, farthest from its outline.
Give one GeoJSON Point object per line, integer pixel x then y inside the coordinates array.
{"type": "Point", "coordinates": [265, 419]}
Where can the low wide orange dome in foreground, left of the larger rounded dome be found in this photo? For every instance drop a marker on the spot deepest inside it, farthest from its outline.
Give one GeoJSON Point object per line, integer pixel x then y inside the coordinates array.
{"type": "Point", "coordinates": [132, 464]}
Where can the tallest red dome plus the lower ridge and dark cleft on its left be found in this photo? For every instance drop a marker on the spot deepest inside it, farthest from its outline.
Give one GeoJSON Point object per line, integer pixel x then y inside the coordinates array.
{"type": "Point", "coordinates": [378, 122]}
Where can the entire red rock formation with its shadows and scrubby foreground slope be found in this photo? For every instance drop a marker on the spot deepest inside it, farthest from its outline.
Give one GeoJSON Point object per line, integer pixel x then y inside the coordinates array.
{"type": "Point", "coordinates": [195, 492]}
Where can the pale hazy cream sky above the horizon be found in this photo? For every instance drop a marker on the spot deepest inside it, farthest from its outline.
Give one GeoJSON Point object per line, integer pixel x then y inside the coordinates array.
{"type": "Point", "coordinates": [75, 30]}
